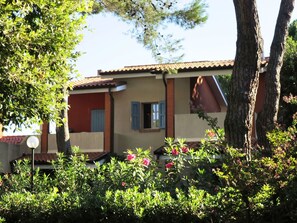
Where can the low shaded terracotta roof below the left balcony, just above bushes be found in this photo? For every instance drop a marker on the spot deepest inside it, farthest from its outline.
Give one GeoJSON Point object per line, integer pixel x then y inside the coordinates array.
{"type": "Point", "coordinates": [46, 158]}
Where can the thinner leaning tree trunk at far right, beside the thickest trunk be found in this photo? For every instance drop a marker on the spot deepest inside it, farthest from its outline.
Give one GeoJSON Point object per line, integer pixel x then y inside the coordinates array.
{"type": "Point", "coordinates": [267, 119]}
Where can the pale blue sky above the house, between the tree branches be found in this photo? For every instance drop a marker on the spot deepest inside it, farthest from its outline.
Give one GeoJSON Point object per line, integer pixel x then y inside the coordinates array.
{"type": "Point", "coordinates": [107, 44]}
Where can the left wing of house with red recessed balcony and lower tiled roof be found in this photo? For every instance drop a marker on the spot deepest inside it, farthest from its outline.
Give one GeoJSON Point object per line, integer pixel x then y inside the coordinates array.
{"type": "Point", "coordinates": [90, 115]}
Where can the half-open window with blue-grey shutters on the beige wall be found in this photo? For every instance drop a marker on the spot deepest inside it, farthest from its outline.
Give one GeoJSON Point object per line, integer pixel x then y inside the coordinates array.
{"type": "Point", "coordinates": [148, 115]}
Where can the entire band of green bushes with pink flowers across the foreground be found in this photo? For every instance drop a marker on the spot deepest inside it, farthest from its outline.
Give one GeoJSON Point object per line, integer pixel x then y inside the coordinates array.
{"type": "Point", "coordinates": [211, 183]}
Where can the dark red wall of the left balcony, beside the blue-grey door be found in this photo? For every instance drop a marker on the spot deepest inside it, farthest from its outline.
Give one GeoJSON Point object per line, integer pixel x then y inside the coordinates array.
{"type": "Point", "coordinates": [81, 105]}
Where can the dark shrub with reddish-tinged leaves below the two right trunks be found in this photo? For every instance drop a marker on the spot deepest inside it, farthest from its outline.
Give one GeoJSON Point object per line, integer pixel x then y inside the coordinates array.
{"type": "Point", "coordinates": [263, 185]}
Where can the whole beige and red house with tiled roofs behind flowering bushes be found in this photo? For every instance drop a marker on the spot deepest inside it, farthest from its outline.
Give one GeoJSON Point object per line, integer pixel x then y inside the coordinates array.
{"type": "Point", "coordinates": [138, 106]}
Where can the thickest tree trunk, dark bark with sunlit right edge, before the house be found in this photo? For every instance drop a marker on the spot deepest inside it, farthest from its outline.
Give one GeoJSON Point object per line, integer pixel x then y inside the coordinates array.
{"type": "Point", "coordinates": [245, 76]}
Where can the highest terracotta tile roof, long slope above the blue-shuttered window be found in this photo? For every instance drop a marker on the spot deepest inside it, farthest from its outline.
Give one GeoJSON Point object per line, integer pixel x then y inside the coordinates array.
{"type": "Point", "coordinates": [182, 66]}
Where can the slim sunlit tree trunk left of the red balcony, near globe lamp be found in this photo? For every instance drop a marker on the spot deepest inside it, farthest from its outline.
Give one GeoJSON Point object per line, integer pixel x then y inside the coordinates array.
{"type": "Point", "coordinates": [62, 132]}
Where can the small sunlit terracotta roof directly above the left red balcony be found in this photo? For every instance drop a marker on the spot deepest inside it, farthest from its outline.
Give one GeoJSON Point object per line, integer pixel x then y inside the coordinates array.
{"type": "Point", "coordinates": [95, 82]}
